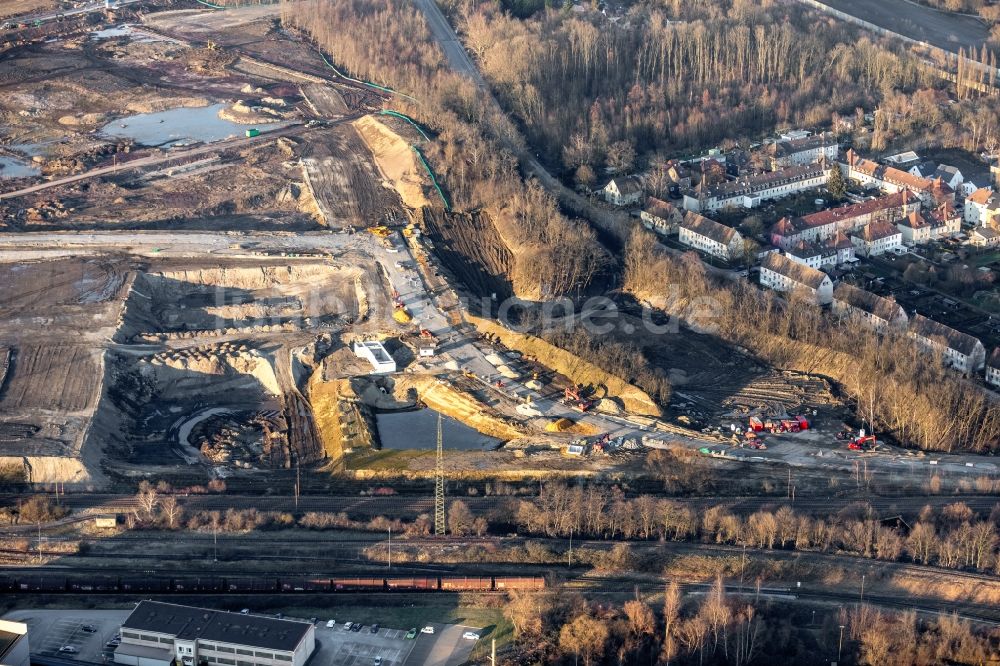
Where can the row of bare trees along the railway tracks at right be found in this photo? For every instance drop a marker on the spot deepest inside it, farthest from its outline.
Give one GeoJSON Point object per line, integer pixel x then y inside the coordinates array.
{"type": "Point", "coordinates": [954, 537]}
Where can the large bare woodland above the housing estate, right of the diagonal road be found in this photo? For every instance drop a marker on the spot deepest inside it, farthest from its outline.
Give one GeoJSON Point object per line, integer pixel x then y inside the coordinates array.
{"type": "Point", "coordinates": [675, 76]}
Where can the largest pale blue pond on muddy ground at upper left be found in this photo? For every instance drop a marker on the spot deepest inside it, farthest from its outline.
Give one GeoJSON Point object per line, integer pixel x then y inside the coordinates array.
{"type": "Point", "coordinates": [180, 126]}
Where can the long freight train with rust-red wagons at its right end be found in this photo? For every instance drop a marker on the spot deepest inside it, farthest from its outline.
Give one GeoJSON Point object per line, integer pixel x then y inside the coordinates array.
{"type": "Point", "coordinates": [70, 584]}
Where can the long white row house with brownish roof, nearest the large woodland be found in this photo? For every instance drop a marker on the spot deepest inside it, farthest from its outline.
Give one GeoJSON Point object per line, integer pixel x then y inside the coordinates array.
{"type": "Point", "coordinates": [752, 191]}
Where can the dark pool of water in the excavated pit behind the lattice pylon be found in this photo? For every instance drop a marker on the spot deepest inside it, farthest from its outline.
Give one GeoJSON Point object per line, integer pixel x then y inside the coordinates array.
{"type": "Point", "coordinates": [418, 430]}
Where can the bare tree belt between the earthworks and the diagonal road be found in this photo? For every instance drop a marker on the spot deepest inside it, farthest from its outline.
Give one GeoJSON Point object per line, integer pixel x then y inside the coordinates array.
{"type": "Point", "coordinates": [390, 44]}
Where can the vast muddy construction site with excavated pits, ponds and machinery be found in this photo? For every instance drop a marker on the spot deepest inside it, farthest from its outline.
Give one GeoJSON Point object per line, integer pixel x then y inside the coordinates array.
{"type": "Point", "coordinates": [222, 257]}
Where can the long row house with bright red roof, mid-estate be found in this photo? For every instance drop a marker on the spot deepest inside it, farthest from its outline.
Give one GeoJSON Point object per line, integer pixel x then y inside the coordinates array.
{"type": "Point", "coordinates": [845, 219]}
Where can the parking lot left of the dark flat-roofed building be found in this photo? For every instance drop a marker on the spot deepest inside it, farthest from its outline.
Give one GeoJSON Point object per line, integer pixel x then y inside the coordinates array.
{"type": "Point", "coordinates": [49, 630]}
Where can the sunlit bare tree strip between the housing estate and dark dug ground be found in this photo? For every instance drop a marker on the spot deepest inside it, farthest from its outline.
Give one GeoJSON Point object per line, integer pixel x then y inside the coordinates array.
{"type": "Point", "coordinates": [897, 387]}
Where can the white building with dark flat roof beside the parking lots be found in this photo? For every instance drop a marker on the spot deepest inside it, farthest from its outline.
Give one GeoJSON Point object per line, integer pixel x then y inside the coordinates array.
{"type": "Point", "coordinates": [160, 634]}
